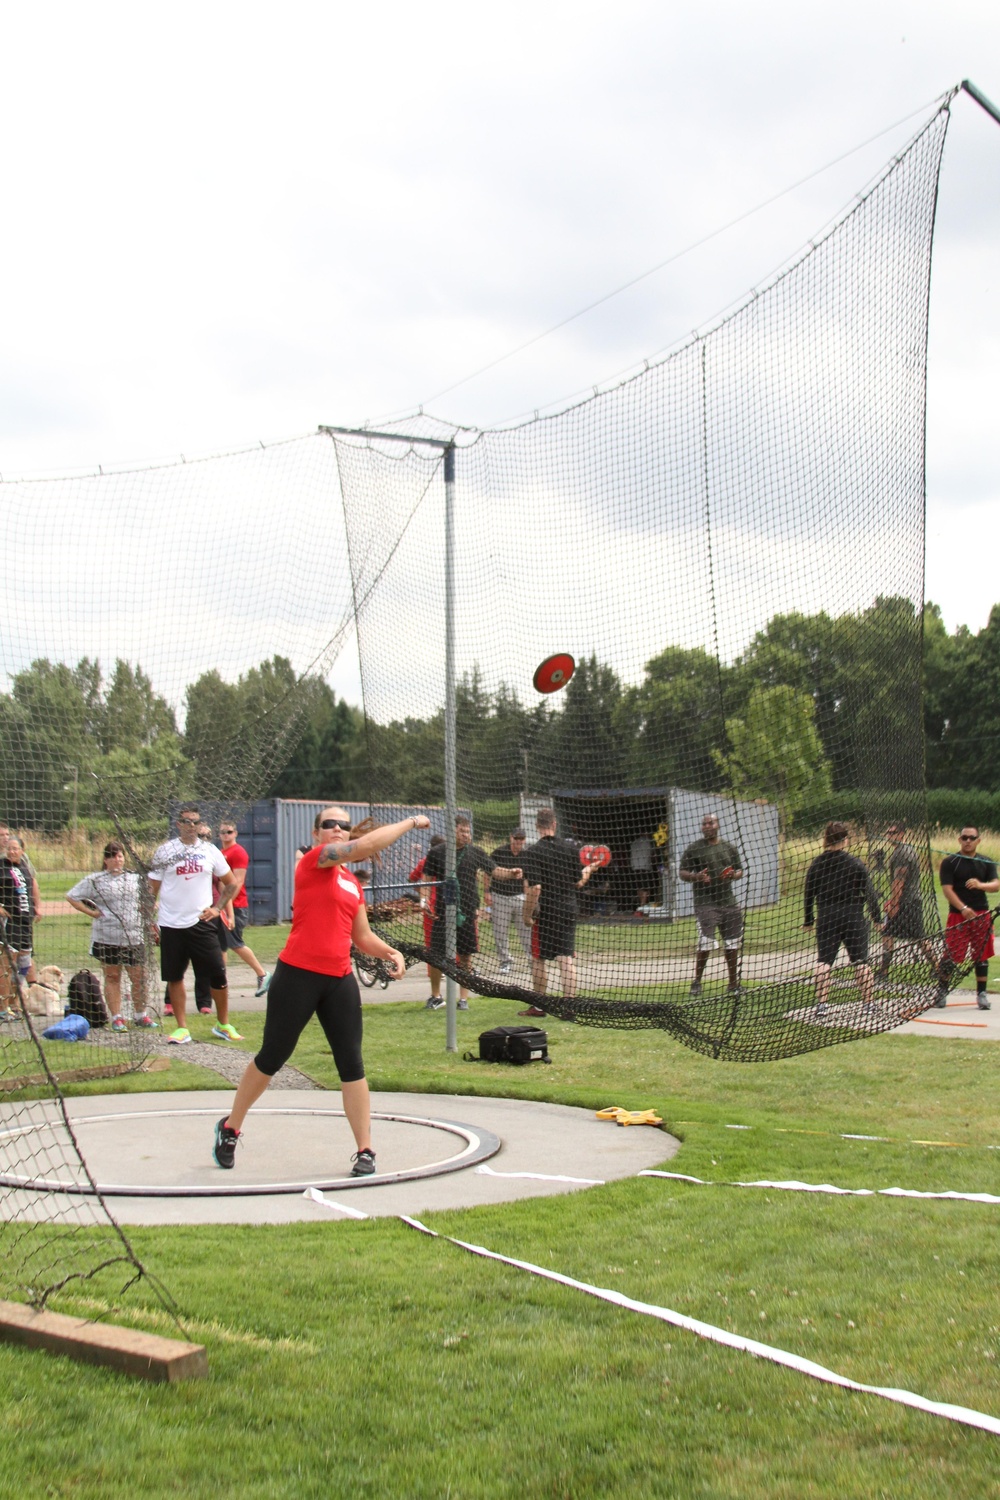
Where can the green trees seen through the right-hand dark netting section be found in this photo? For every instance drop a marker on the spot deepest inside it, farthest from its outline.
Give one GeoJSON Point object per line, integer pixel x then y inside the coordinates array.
{"type": "Point", "coordinates": [815, 704]}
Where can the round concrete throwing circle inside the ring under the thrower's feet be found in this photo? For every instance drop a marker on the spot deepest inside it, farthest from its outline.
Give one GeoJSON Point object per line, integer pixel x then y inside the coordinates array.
{"type": "Point", "coordinates": [175, 1160]}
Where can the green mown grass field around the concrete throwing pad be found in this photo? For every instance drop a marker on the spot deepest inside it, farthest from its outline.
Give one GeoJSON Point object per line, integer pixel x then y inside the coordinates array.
{"type": "Point", "coordinates": [364, 1360]}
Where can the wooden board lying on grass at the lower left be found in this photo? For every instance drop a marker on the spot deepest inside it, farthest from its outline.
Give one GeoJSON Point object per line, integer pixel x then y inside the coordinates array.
{"type": "Point", "coordinates": [149, 1357]}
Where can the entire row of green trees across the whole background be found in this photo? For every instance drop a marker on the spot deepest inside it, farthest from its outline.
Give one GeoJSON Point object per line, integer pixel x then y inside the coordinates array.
{"type": "Point", "coordinates": [815, 707]}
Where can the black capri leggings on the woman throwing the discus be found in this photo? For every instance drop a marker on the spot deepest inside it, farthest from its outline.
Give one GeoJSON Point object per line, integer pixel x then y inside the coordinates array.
{"type": "Point", "coordinates": [295, 997]}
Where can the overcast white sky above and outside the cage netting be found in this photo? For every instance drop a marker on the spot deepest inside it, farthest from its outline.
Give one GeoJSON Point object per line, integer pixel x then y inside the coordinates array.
{"type": "Point", "coordinates": [227, 224]}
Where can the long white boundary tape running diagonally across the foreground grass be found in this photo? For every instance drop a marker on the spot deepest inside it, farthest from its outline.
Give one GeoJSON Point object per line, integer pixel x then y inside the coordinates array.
{"type": "Point", "coordinates": [719, 1336]}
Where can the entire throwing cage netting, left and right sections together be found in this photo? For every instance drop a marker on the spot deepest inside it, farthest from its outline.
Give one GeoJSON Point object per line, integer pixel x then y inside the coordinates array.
{"type": "Point", "coordinates": [729, 544]}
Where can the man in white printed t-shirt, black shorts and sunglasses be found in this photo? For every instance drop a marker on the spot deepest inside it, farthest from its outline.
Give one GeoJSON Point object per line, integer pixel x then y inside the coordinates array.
{"type": "Point", "coordinates": [181, 875]}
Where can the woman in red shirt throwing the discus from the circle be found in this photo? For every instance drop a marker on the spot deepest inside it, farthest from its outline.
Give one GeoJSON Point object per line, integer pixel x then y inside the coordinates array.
{"type": "Point", "coordinates": [314, 977]}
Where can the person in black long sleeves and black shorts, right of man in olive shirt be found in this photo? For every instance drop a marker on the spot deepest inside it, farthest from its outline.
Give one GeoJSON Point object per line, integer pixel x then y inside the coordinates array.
{"type": "Point", "coordinates": [839, 887]}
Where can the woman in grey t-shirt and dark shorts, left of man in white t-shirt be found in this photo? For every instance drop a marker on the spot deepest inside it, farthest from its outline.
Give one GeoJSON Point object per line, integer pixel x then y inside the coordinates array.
{"type": "Point", "coordinates": [113, 898]}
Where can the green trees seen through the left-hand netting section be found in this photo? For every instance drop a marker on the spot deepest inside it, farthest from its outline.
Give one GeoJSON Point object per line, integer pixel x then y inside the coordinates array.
{"type": "Point", "coordinates": [73, 745]}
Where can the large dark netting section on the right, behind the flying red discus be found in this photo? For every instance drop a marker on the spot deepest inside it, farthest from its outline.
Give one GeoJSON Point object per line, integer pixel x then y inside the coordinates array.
{"type": "Point", "coordinates": [731, 547]}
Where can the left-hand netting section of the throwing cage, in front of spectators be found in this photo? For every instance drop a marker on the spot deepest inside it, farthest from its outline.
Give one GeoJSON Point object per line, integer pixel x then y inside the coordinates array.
{"type": "Point", "coordinates": [167, 637]}
